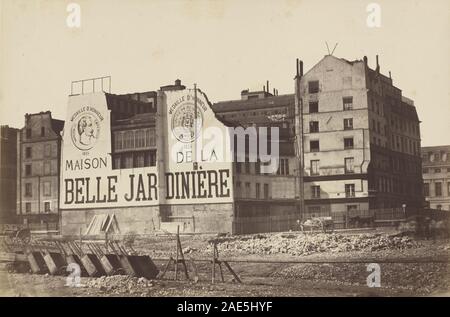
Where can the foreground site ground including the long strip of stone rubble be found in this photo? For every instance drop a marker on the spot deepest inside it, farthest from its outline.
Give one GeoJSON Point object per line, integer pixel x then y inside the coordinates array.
{"type": "Point", "coordinates": [408, 267]}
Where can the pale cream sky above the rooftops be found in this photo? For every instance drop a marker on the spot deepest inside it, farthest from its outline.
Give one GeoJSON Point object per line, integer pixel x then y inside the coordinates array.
{"type": "Point", "coordinates": [223, 46]}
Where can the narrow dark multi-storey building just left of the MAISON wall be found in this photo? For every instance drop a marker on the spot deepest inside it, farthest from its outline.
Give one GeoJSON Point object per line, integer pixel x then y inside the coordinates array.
{"type": "Point", "coordinates": [38, 171]}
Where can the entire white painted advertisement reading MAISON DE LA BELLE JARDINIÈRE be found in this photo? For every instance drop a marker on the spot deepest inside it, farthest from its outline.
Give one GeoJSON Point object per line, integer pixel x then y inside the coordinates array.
{"type": "Point", "coordinates": [196, 167]}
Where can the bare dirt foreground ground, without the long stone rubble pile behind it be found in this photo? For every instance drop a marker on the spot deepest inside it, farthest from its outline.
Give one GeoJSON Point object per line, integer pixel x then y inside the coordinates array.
{"type": "Point", "coordinates": [430, 276]}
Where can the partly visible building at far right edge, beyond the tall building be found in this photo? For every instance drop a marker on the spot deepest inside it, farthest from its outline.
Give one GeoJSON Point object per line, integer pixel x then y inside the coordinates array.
{"type": "Point", "coordinates": [436, 176]}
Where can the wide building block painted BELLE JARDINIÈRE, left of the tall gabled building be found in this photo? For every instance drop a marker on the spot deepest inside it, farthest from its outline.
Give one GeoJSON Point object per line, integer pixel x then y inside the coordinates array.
{"type": "Point", "coordinates": [140, 160]}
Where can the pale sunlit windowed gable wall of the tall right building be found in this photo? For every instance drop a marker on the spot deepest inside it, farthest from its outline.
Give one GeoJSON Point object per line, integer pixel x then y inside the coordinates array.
{"type": "Point", "coordinates": [335, 115]}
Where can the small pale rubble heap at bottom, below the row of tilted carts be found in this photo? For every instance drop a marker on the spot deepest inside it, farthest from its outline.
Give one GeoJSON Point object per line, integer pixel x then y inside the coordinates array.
{"type": "Point", "coordinates": [118, 284]}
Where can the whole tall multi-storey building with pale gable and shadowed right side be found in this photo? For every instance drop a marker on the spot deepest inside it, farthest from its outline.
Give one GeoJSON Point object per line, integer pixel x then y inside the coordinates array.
{"type": "Point", "coordinates": [361, 140]}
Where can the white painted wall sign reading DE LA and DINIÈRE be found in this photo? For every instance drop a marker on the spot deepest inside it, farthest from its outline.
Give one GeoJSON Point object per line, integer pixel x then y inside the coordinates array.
{"type": "Point", "coordinates": [198, 168]}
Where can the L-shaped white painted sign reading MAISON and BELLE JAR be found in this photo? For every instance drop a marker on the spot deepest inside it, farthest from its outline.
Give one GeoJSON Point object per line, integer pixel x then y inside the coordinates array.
{"type": "Point", "coordinates": [87, 177]}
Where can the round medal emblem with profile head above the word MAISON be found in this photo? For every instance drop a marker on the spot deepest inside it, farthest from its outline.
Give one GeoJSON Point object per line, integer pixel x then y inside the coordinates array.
{"type": "Point", "coordinates": [85, 130]}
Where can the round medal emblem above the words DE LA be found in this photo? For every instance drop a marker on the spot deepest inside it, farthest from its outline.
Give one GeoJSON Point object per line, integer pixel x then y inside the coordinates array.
{"type": "Point", "coordinates": [184, 122]}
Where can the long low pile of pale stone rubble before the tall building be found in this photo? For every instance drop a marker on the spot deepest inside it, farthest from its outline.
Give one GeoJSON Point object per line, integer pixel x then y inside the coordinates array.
{"type": "Point", "coordinates": [309, 244]}
